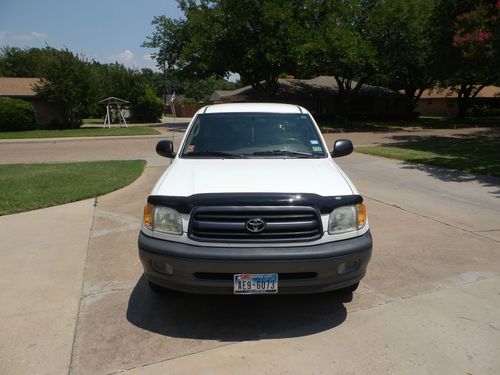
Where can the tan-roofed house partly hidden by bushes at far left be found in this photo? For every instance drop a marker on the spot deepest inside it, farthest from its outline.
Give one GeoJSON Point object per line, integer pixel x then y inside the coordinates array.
{"type": "Point", "coordinates": [23, 88]}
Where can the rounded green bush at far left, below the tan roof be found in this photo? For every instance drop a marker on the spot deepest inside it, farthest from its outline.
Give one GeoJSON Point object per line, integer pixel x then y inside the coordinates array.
{"type": "Point", "coordinates": [16, 115]}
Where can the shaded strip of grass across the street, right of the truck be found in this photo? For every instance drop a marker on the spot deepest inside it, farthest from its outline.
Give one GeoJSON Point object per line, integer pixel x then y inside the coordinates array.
{"type": "Point", "coordinates": [424, 122]}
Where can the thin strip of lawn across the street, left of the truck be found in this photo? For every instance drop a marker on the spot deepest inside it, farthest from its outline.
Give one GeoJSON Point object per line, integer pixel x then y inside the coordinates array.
{"type": "Point", "coordinates": [81, 132]}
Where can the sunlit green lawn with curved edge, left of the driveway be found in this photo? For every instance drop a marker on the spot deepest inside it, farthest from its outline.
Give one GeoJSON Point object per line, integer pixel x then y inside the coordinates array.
{"type": "Point", "coordinates": [25, 187]}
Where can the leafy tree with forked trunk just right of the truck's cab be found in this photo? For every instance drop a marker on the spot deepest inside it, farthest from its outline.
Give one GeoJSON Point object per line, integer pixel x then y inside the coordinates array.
{"type": "Point", "coordinates": [340, 43]}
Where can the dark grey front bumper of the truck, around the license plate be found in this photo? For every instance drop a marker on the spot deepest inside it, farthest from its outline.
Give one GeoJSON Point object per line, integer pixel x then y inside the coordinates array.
{"type": "Point", "coordinates": [301, 269]}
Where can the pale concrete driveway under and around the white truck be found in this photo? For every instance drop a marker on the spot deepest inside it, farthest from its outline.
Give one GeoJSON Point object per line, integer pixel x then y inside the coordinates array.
{"type": "Point", "coordinates": [430, 302]}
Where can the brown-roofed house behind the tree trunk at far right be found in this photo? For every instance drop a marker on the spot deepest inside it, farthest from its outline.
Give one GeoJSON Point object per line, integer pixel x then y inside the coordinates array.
{"type": "Point", "coordinates": [443, 102]}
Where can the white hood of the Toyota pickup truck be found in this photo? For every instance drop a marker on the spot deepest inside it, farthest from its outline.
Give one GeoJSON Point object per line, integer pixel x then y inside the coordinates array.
{"type": "Point", "coordinates": [197, 176]}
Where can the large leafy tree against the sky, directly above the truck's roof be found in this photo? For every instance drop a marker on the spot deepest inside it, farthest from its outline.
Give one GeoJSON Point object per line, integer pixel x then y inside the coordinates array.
{"type": "Point", "coordinates": [254, 38]}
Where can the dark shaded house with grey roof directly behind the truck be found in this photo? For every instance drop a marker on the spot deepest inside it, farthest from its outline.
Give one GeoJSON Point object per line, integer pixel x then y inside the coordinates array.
{"type": "Point", "coordinates": [320, 96]}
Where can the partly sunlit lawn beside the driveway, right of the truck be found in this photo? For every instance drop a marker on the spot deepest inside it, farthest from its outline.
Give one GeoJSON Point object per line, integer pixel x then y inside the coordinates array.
{"type": "Point", "coordinates": [476, 155]}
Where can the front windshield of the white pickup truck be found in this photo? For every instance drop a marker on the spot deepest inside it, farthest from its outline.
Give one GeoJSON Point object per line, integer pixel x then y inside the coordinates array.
{"type": "Point", "coordinates": [253, 135]}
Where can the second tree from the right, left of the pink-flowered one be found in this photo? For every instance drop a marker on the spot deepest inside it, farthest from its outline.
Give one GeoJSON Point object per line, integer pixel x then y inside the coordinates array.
{"type": "Point", "coordinates": [403, 37]}
